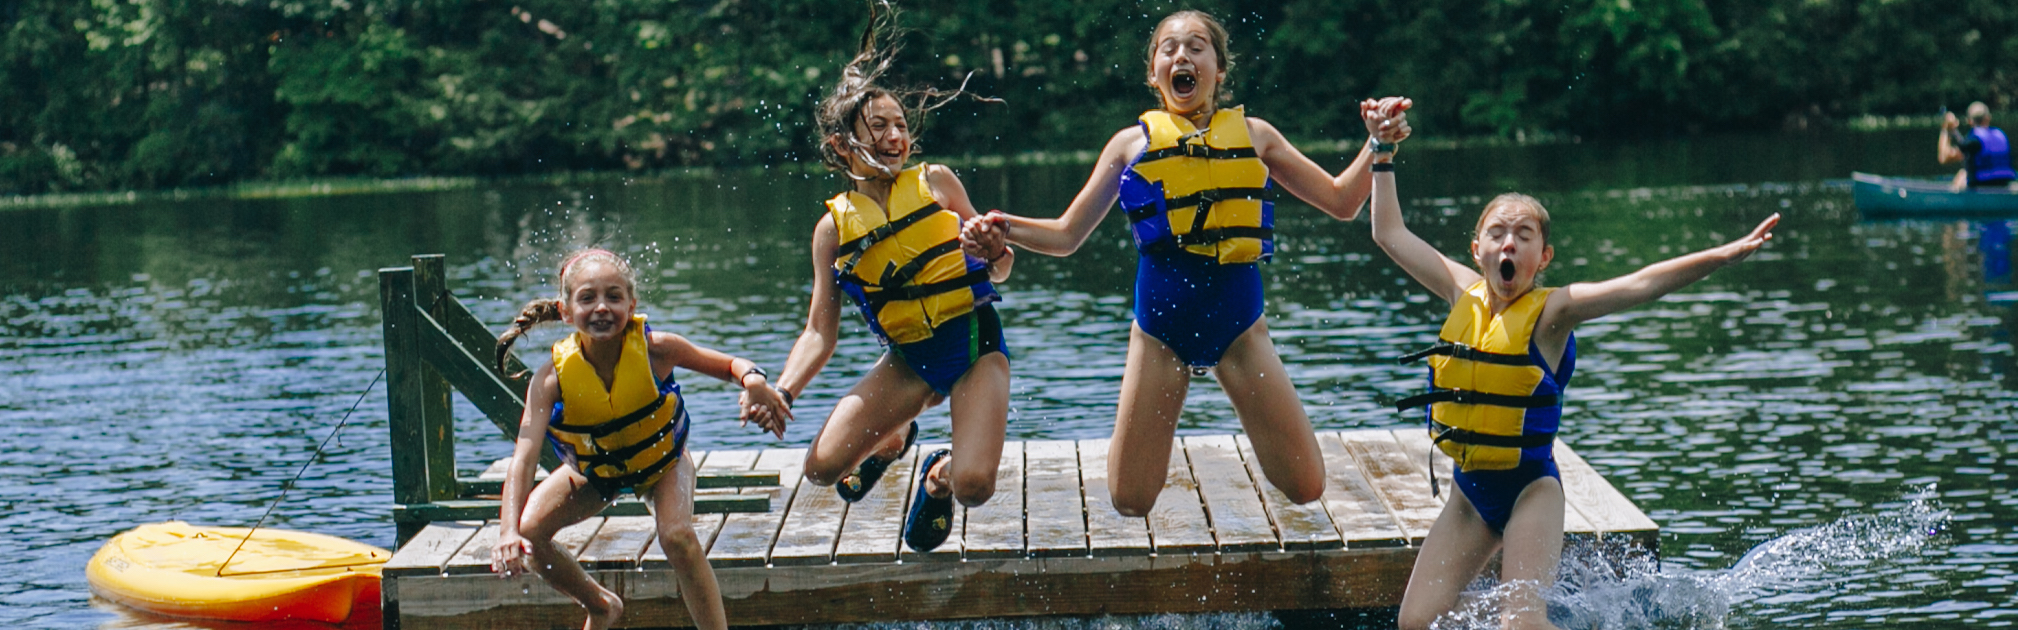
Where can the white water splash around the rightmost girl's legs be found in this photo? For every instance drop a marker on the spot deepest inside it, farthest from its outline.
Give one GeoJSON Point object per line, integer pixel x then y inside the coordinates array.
{"type": "Point", "coordinates": [1609, 585]}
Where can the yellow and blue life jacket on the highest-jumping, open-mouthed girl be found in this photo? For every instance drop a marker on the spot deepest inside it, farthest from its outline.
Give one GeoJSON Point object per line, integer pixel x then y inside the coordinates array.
{"type": "Point", "coordinates": [1200, 191]}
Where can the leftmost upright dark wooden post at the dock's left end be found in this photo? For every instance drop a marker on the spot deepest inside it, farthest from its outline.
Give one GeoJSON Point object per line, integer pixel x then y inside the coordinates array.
{"type": "Point", "coordinates": [405, 393]}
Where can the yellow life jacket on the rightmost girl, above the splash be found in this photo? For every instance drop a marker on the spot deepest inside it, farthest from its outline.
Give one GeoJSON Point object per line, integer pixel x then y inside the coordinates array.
{"type": "Point", "coordinates": [1490, 403]}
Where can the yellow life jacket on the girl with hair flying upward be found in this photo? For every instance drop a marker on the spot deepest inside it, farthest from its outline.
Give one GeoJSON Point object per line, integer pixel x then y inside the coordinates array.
{"type": "Point", "coordinates": [905, 266]}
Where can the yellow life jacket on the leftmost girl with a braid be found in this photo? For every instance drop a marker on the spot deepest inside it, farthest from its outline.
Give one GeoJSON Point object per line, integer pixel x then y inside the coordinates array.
{"type": "Point", "coordinates": [627, 433]}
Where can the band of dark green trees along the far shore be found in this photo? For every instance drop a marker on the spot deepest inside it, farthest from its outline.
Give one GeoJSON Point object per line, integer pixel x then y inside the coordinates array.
{"type": "Point", "coordinates": [162, 94]}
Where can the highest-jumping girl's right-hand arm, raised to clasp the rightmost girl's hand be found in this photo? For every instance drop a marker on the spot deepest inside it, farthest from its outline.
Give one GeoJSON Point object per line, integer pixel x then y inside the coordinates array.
{"type": "Point", "coordinates": [1345, 195]}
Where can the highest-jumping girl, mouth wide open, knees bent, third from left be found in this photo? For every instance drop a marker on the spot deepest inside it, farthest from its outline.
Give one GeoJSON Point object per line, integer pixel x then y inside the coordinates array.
{"type": "Point", "coordinates": [1196, 181]}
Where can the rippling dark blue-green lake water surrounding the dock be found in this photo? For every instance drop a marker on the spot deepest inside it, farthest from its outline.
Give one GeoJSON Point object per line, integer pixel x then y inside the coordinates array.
{"type": "Point", "coordinates": [1823, 433]}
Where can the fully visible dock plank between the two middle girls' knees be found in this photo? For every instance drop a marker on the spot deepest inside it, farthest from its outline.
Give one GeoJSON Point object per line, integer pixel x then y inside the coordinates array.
{"type": "Point", "coordinates": [1054, 510]}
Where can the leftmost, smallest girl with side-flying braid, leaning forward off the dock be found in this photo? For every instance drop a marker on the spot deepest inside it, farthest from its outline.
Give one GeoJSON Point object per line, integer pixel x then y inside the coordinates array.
{"type": "Point", "coordinates": [614, 415]}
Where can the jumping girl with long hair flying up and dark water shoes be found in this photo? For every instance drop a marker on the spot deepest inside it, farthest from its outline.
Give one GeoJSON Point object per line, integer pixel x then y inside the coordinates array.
{"type": "Point", "coordinates": [893, 245]}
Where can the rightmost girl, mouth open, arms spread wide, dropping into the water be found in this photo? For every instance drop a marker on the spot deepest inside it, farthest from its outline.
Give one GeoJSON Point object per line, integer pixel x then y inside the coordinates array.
{"type": "Point", "coordinates": [1498, 375]}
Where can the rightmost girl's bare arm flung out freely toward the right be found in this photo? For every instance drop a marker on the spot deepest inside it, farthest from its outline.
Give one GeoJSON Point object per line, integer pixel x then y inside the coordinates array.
{"type": "Point", "coordinates": [1585, 302]}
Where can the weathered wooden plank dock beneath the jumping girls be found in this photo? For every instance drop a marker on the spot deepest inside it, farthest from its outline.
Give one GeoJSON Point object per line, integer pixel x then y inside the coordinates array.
{"type": "Point", "coordinates": [1048, 544]}
